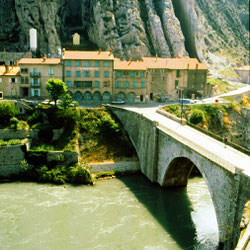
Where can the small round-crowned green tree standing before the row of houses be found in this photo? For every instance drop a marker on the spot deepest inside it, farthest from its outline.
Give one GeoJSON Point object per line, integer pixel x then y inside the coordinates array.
{"type": "Point", "coordinates": [56, 89]}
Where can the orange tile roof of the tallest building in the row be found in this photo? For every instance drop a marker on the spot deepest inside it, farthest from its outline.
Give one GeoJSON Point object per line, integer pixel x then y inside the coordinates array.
{"type": "Point", "coordinates": [87, 55]}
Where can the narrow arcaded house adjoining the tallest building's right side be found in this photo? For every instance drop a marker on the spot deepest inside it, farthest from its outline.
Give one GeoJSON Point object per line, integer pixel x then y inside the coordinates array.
{"type": "Point", "coordinates": [129, 80]}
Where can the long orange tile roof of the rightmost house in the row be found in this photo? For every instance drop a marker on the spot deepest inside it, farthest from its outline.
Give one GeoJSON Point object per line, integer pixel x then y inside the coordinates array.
{"type": "Point", "coordinates": [173, 63]}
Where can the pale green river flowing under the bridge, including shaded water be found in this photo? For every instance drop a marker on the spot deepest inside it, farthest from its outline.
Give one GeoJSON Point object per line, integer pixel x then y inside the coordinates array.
{"type": "Point", "coordinates": [127, 213]}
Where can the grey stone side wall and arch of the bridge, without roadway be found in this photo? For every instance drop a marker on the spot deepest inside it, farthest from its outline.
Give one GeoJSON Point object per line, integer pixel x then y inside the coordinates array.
{"type": "Point", "coordinates": [168, 161]}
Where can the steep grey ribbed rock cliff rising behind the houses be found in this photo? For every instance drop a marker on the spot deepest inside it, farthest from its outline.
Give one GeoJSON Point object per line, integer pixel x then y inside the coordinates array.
{"type": "Point", "coordinates": [132, 28]}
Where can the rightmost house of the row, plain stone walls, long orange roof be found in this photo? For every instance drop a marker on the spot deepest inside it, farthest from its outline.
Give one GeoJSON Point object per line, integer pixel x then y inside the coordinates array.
{"type": "Point", "coordinates": [167, 77]}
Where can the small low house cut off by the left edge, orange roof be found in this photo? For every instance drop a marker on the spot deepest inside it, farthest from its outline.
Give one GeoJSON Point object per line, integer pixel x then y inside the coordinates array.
{"type": "Point", "coordinates": [10, 81]}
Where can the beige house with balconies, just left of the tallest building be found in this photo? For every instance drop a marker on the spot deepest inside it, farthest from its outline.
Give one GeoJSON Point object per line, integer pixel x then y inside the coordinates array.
{"type": "Point", "coordinates": [35, 72]}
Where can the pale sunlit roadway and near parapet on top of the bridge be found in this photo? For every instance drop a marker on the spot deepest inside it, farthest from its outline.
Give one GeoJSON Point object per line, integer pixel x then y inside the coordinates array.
{"type": "Point", "coordinates": [224, 155]}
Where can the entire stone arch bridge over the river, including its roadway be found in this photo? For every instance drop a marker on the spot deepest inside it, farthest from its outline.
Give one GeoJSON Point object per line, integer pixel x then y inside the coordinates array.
{"type": "Point", "coordinates": [168, 151]}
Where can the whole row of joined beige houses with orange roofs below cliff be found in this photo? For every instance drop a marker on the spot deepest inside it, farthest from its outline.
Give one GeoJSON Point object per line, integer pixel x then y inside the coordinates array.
{"type": "Point", "coordinates": [97, 76]}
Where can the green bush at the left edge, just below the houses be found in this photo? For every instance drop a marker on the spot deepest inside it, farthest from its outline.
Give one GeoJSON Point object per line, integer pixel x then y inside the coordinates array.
{"type": "Point", "coordinates": [7, 111]}
